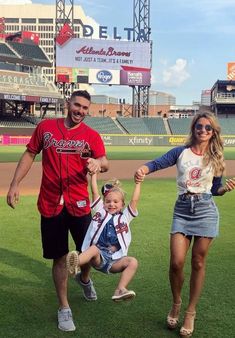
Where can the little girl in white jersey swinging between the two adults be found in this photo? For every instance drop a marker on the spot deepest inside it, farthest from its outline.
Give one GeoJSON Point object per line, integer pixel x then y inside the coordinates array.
{"type": "Point", "coordinates": [108, 237]}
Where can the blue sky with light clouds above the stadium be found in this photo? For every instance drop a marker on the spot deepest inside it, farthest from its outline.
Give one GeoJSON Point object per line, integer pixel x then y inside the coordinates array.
{"type": "Point", "coordinates": [192, 42]}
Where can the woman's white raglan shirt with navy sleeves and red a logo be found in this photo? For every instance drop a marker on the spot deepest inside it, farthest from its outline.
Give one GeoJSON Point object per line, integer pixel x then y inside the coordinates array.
{"type": "Point", "coordinates": [192, 175]}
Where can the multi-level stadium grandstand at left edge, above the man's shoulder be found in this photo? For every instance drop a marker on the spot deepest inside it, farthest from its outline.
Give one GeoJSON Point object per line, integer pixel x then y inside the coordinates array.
{"type": "Point", "coordinates": [20, 85]}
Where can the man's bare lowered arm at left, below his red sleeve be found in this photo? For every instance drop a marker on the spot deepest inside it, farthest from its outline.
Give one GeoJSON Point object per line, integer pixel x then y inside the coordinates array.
{"type": "Point", "coordinates": [21, 171]}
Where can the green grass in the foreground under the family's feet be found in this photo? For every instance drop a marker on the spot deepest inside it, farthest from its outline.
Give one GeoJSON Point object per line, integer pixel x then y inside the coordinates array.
{"type": "Point", "coordinates": [28, 301]}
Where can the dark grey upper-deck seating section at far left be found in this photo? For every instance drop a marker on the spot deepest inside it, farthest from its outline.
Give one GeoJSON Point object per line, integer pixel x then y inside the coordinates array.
{"type": "Point", "coordinates": [24, 54]}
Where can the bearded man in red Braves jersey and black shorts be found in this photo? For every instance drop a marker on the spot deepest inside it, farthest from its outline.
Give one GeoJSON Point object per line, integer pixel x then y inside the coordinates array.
{"type": "Point", "coordinates": [70, 150]}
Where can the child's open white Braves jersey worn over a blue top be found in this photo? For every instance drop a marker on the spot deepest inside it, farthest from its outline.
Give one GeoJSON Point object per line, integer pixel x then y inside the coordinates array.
{"type": "Point", "coordinates": [121, 223]}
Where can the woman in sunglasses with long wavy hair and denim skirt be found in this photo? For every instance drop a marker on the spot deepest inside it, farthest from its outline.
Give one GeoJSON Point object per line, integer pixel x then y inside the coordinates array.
{"type": "Point", "coordinates": [200, 165]}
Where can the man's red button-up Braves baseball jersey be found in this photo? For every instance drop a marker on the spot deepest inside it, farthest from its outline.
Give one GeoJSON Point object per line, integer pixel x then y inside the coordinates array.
{"type": "Point", "coordinates": [64, 157]}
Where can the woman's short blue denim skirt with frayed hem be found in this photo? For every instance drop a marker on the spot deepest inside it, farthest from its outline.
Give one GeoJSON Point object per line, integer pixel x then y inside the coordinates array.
{"type": "Point", "coordinates": [196, 215]}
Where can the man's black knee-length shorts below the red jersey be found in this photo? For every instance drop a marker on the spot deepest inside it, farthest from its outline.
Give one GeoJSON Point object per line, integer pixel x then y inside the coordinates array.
{"type": "Point", "coordinates": [55, 233]}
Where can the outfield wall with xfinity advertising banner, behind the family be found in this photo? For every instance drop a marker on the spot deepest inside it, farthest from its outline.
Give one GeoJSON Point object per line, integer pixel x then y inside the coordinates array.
{"type": "Point", "coordinates": [125, 140]}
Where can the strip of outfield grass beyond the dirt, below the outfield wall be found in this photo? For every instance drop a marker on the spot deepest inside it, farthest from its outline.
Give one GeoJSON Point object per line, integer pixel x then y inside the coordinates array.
{"type": "Point", "coordinates": [13, 153]}
